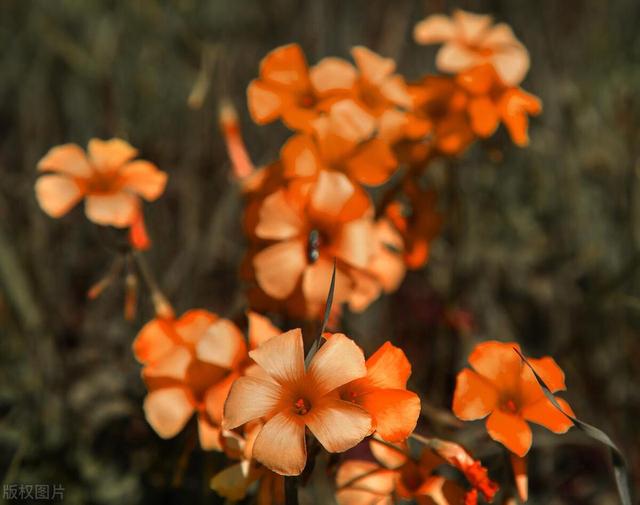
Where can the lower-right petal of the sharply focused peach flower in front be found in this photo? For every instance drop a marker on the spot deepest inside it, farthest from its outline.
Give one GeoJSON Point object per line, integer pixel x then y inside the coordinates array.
{"type": "Point", "coordinates": [338, 425]}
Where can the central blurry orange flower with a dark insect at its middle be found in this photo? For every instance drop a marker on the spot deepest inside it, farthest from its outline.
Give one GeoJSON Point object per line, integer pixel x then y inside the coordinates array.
{"type": "Point", "coordinates": [308, 225]}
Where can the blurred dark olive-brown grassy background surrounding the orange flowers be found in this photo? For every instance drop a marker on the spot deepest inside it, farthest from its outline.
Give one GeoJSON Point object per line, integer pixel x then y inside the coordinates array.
{"type": "Point", "coordinates": [541, 245]}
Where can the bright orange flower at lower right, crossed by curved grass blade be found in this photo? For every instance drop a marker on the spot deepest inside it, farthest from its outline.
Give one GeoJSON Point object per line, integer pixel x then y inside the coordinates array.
{"type": "Point", "coordinates": [502, 387]}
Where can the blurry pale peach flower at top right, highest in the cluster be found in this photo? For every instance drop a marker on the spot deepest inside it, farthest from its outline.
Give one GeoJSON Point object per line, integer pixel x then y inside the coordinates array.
{"type": "Point", "coordinates": [470, 40]}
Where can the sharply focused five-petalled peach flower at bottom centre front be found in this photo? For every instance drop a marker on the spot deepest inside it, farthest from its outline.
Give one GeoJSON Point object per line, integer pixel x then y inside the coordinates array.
{"type": "Point", "coordinates": [291, 398]}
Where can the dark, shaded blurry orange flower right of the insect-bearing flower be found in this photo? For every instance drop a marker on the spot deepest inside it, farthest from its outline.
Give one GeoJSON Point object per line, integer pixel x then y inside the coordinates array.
{"type": "Point", "coordinates": [417, 220]}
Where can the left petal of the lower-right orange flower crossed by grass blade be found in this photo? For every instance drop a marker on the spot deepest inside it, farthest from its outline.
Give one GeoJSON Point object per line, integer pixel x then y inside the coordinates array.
{"type": "Point", "coordinates": [475, 397]}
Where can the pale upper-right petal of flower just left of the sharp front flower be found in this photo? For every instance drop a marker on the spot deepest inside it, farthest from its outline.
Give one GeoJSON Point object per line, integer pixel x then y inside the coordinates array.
{"type": "Point", "coordinates": [222, 344]}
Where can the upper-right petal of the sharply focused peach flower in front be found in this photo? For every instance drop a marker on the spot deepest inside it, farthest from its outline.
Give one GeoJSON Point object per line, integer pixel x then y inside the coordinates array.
{"type": "Point", "coordinates": [337, 362]}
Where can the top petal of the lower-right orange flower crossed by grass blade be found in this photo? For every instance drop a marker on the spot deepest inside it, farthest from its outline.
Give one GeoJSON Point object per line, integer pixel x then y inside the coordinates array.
{"type": "Point", "coordinates": [498, 362]}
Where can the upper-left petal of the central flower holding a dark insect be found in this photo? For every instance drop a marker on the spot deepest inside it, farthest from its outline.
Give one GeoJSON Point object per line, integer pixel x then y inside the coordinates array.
{"type": "Point", "coordinates": [277, 218]}
